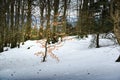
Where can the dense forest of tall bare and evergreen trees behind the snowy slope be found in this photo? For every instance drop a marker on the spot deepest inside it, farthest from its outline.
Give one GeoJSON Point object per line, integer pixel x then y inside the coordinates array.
{"type": "Point", "coordinates": [90, 17]}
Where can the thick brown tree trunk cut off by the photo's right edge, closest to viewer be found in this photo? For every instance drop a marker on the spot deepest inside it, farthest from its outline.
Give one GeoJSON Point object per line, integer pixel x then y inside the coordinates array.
{"type": "Point", "coordinates": [115, 15]}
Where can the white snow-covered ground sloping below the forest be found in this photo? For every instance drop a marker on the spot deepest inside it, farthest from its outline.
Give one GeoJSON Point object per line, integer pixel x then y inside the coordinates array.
{"type": "Point", "coordinates": [77, 62]}
